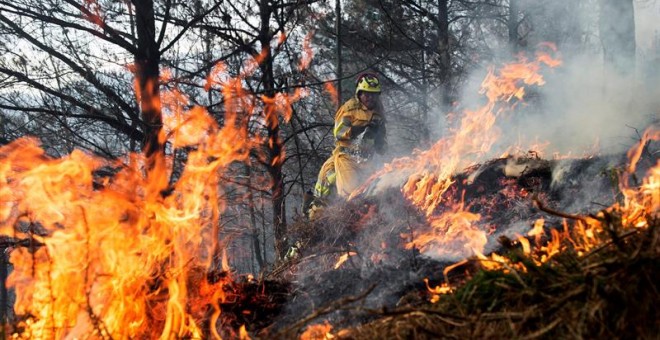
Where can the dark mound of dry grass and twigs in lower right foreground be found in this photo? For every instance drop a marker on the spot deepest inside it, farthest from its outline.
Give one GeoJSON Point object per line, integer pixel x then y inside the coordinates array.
{"type": "Point", "coordinates": [610, 292]}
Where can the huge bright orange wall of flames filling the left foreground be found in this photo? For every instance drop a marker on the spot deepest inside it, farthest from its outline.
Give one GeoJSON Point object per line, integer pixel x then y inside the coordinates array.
{"type": "Point", "coordinates": [113, 254]}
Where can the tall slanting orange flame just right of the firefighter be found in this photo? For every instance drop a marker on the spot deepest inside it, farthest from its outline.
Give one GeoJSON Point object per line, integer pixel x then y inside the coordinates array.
{"type": "Point", "coordinates": [466, 145]}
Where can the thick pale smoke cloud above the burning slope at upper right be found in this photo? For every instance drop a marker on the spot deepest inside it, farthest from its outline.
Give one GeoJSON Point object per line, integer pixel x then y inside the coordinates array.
{"type": "Point", "coordinates": [602, 96]}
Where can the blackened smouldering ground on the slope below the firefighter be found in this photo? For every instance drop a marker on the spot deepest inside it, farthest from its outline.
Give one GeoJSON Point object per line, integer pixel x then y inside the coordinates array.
{"type": "Point", "coordinates": [382, 274]}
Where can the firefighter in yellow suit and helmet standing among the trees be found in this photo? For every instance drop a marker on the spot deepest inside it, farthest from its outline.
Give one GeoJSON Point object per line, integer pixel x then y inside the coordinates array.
{"type": "Point", "coordinates": [359, 132]}
